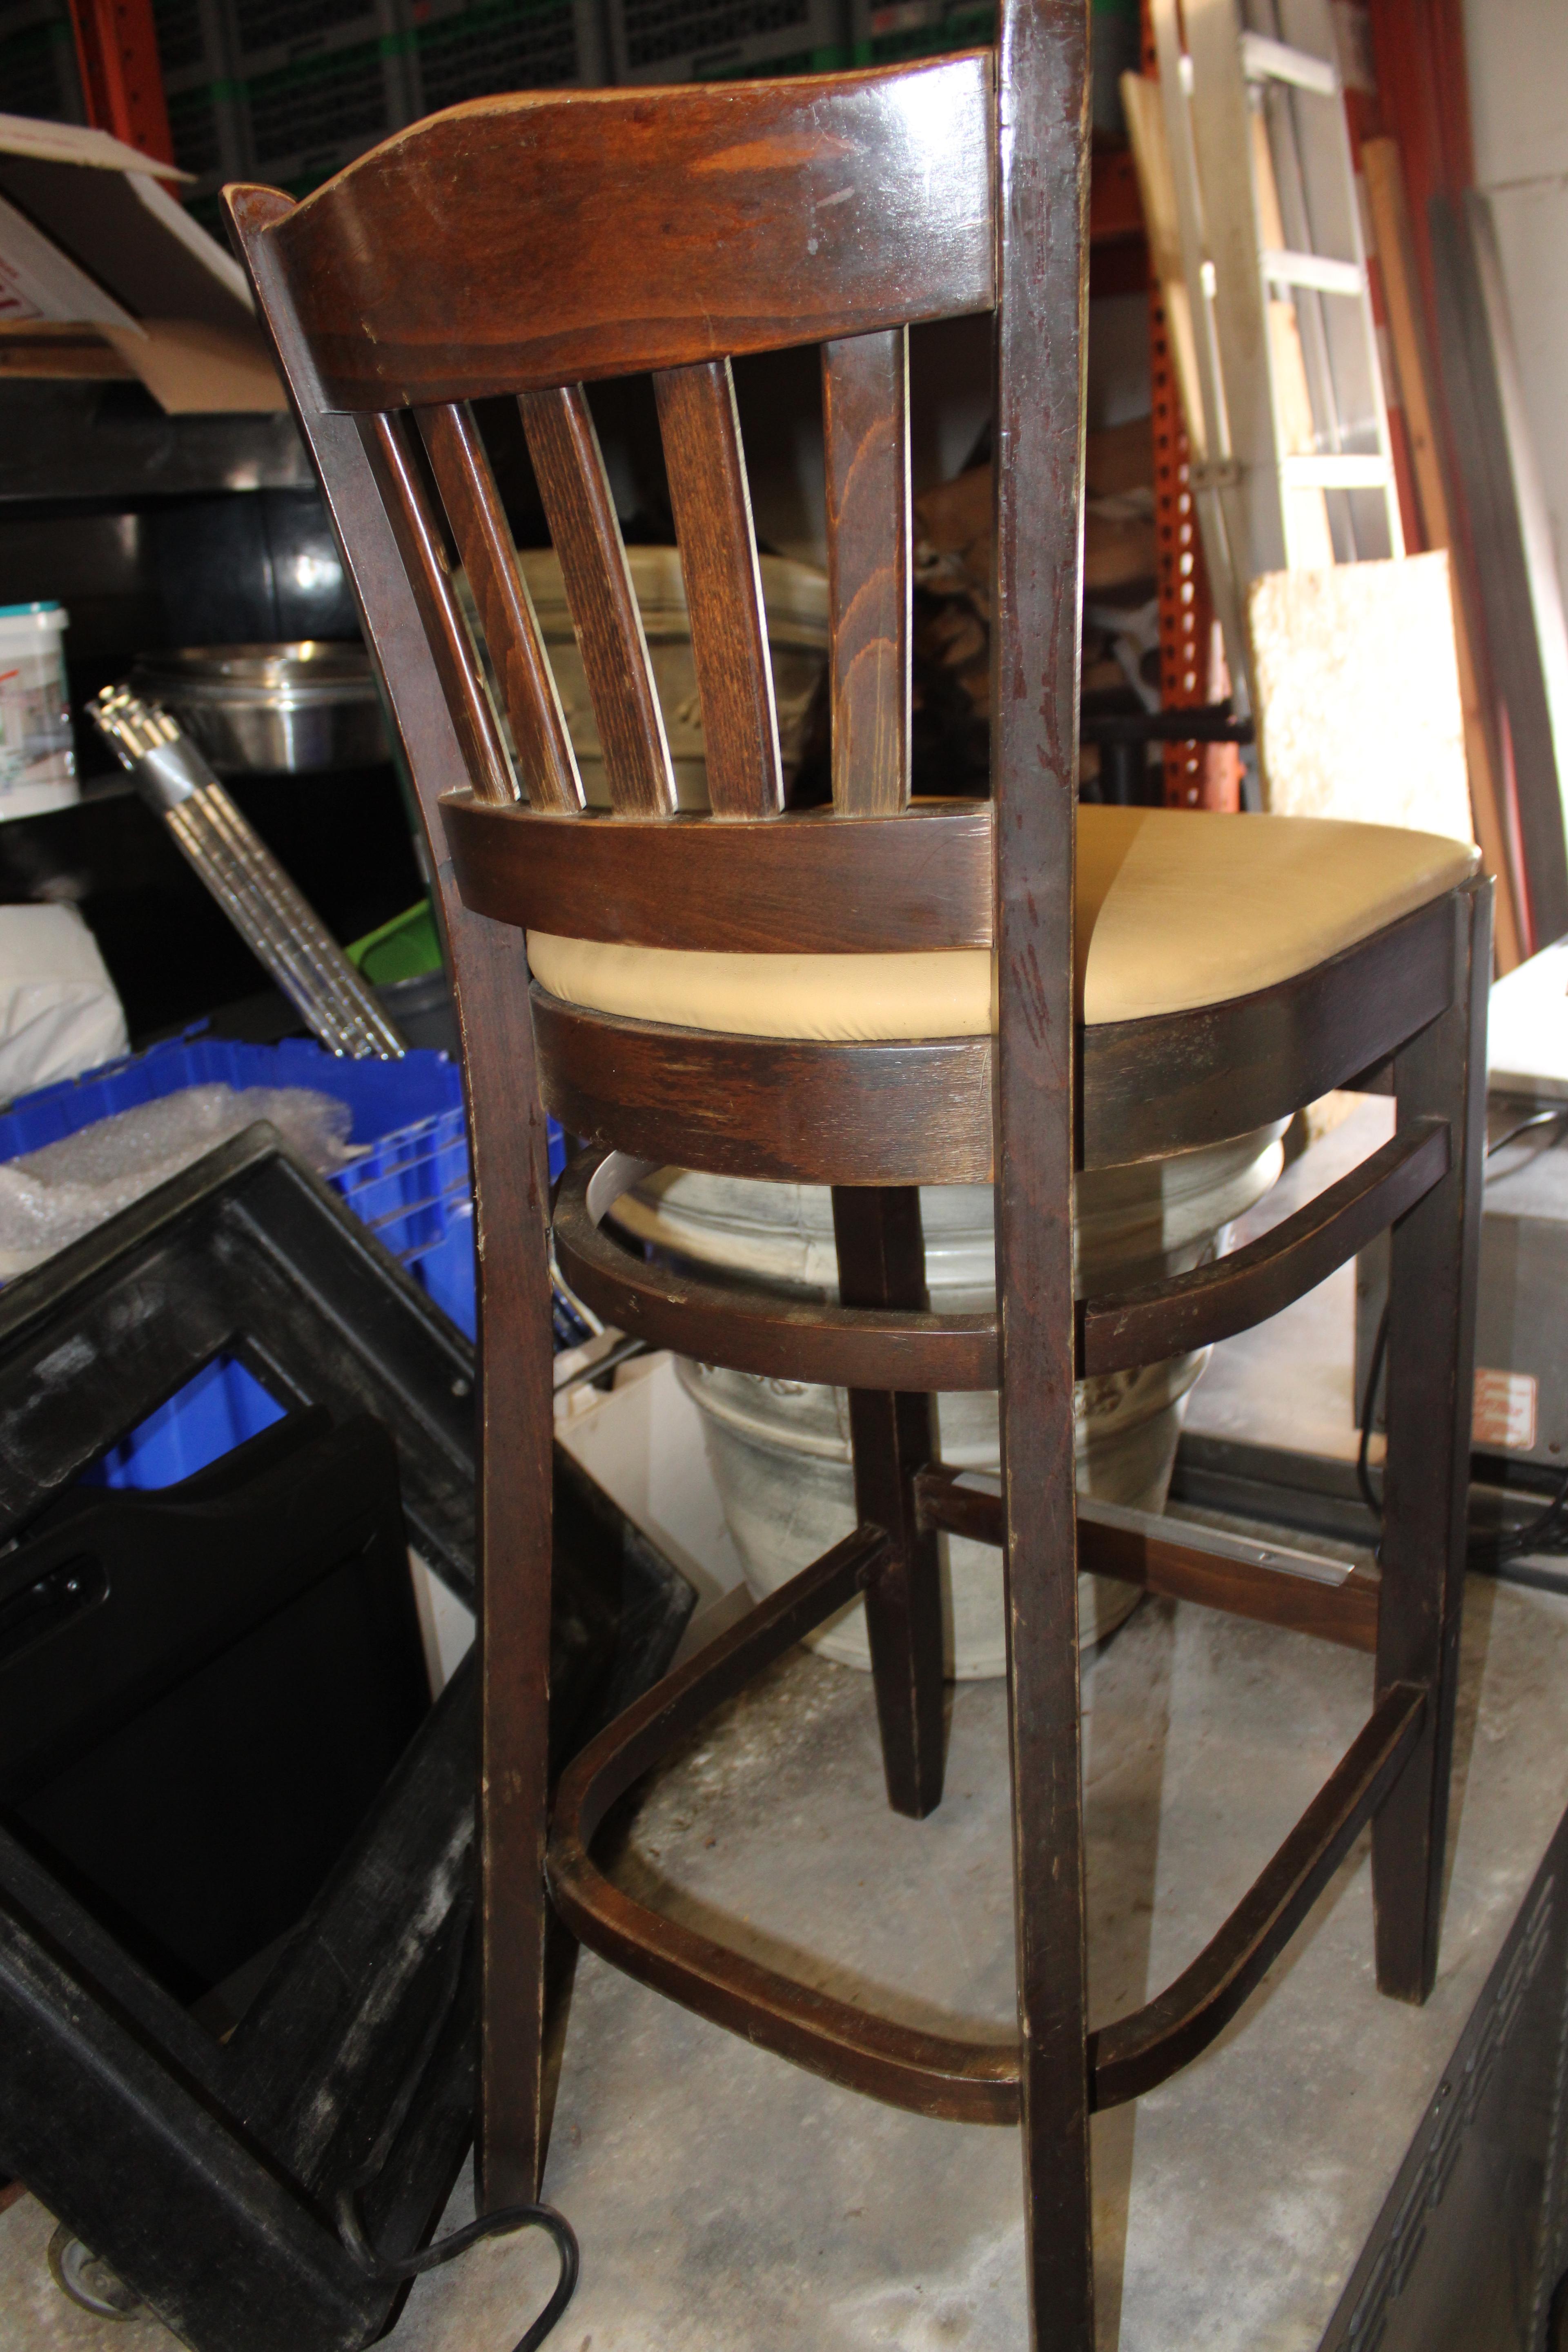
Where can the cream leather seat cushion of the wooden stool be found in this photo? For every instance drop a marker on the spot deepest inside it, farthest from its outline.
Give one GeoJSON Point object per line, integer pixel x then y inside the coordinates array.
{"type": "Point", "coordinates": [1174, 911]}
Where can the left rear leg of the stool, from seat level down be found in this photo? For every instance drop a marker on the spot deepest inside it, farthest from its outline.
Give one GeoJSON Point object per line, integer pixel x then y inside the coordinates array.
{"type": "Point", "coordinates": [516, 1553]}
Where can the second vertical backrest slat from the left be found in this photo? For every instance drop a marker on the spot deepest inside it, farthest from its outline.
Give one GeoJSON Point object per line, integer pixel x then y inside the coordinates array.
{"type": "Point", "coordinates": [511, 629]}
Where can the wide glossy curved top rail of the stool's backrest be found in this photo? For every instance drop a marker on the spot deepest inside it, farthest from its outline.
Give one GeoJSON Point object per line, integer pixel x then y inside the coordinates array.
{"type": "Point", "coordinates": [605, 232]}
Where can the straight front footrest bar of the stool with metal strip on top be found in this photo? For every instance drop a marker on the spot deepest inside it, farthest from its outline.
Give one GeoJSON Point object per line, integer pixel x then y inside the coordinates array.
{"type": "Point", "coordinates": [1346, 1615]}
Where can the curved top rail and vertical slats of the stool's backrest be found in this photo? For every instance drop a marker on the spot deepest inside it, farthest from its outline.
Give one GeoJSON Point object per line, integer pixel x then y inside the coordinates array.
{"type": "Point", "coordinates": [537, 241]}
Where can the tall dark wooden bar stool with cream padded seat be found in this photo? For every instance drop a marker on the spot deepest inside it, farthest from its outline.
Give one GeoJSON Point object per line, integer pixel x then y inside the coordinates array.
{"type": "Point", "coordinates": [871, 996]}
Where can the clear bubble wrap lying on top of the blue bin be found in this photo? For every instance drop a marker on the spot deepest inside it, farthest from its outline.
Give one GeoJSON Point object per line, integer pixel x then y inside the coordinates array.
{"type": "Point", "coordinates": [62, 1191]}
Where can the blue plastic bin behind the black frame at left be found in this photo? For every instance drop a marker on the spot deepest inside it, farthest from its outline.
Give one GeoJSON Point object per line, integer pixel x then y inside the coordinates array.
{"type": "Point", "coordinates": [413, 1189]}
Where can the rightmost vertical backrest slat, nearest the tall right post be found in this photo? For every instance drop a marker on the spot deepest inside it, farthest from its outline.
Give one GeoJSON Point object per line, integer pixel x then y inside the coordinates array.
{"type": "Point", "coordinates": [866, 417]}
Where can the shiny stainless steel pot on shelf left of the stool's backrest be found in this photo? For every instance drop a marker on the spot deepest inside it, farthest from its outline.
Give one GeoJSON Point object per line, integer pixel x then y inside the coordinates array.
{"type": "Point", "coordinates": [272, 707]}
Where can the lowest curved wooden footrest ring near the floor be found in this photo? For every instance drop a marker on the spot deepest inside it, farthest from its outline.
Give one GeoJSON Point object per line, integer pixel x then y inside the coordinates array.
{"type": "Point", "coordinates": [970, 2083]}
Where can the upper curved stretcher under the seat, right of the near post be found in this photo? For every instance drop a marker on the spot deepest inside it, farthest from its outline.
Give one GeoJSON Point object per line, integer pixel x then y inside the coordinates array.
{"type": "Point", "coordinates": [1254, 1283]}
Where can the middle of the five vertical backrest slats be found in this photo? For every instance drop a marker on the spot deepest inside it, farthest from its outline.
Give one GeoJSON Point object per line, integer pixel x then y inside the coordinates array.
{"type": "Point", "coordinates": [582, 516]}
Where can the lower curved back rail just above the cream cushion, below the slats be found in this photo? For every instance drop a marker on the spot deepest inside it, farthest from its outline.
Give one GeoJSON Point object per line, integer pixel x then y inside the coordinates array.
{"type": "Point", "coordinates": [805, 886]}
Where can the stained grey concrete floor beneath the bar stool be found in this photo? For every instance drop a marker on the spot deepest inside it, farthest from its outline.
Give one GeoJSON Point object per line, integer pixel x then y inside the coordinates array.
{"type": "Point", "coordinates": [728, 2203]}
